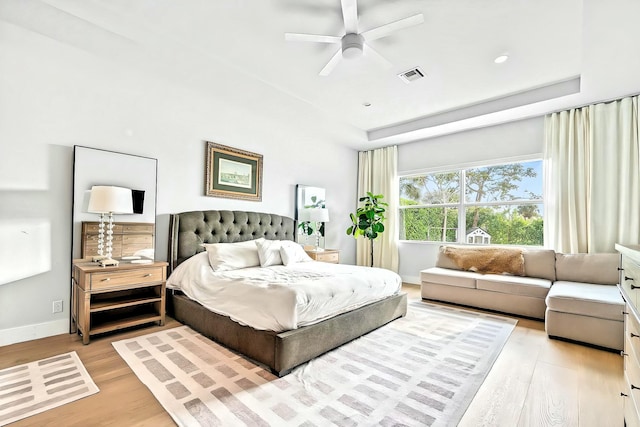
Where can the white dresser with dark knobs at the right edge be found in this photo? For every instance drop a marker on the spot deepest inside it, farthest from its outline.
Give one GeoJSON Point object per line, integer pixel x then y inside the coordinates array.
{"type": "Point", "coordinates": [630, 288]}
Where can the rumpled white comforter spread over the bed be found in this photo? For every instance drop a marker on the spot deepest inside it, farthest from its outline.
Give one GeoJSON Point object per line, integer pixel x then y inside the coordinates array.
{"type": "Point", "coordinates": [281, 298]}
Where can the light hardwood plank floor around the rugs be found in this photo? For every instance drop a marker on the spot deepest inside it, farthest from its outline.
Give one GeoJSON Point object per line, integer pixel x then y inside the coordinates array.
{"type": "Point", "coordinates": [534, 382]}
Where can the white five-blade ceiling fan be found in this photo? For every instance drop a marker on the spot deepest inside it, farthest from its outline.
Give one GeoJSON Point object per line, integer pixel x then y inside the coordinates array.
{"type": "Point", "coordinates": [355, 44]}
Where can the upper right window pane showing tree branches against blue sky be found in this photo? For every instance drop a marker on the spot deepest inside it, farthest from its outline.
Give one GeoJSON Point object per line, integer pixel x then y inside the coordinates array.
{"type": "Point", "coordinates": [504, 182]}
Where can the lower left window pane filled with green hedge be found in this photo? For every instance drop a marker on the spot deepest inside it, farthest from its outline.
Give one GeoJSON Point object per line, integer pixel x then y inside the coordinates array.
{"type": "Point", "coordinates": [431, 224]}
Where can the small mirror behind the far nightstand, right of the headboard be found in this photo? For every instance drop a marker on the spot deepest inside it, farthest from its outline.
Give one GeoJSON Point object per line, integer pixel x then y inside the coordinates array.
{"type": "Point", "coordinates": [311, 215]}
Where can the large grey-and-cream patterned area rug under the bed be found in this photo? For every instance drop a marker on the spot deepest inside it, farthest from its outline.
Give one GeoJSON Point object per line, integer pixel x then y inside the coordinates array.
{"type": "Point", "coordinates": [423, 369]}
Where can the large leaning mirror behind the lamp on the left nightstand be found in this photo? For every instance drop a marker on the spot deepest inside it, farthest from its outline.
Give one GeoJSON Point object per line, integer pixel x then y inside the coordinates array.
{"type": "Point", "coordinates": [133, 232]}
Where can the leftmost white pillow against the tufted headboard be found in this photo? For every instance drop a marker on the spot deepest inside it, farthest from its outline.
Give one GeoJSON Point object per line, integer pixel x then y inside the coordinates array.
{"type": "Point", "coordinates": [232, 256]}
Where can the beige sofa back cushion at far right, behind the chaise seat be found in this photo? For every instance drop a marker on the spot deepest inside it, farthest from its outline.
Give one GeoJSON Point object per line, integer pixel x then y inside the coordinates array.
{"type": "Point", "coordinates": [588, 268]}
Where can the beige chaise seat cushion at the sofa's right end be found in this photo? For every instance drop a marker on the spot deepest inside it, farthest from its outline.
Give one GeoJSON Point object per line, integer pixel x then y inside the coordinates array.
{"type": "Point", "coordinates": [587, 299]}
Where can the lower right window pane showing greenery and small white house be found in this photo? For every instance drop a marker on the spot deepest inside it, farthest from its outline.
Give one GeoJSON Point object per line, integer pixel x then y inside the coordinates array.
{"type": "Point", "coordinates": [509, 224]}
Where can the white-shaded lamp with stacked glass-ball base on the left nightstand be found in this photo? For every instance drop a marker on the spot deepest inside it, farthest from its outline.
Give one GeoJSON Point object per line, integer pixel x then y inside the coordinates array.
{"type": "Point", "coordinates": [108, 200]}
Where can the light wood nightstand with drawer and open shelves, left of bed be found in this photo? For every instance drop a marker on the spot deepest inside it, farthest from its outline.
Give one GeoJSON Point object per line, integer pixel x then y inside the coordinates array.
{"type": "Point", "coordinates": [106, 299]}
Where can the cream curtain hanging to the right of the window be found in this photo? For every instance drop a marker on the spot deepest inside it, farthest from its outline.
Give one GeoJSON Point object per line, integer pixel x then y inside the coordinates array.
{"type": "Point", "coordinates": [592, 168]}
